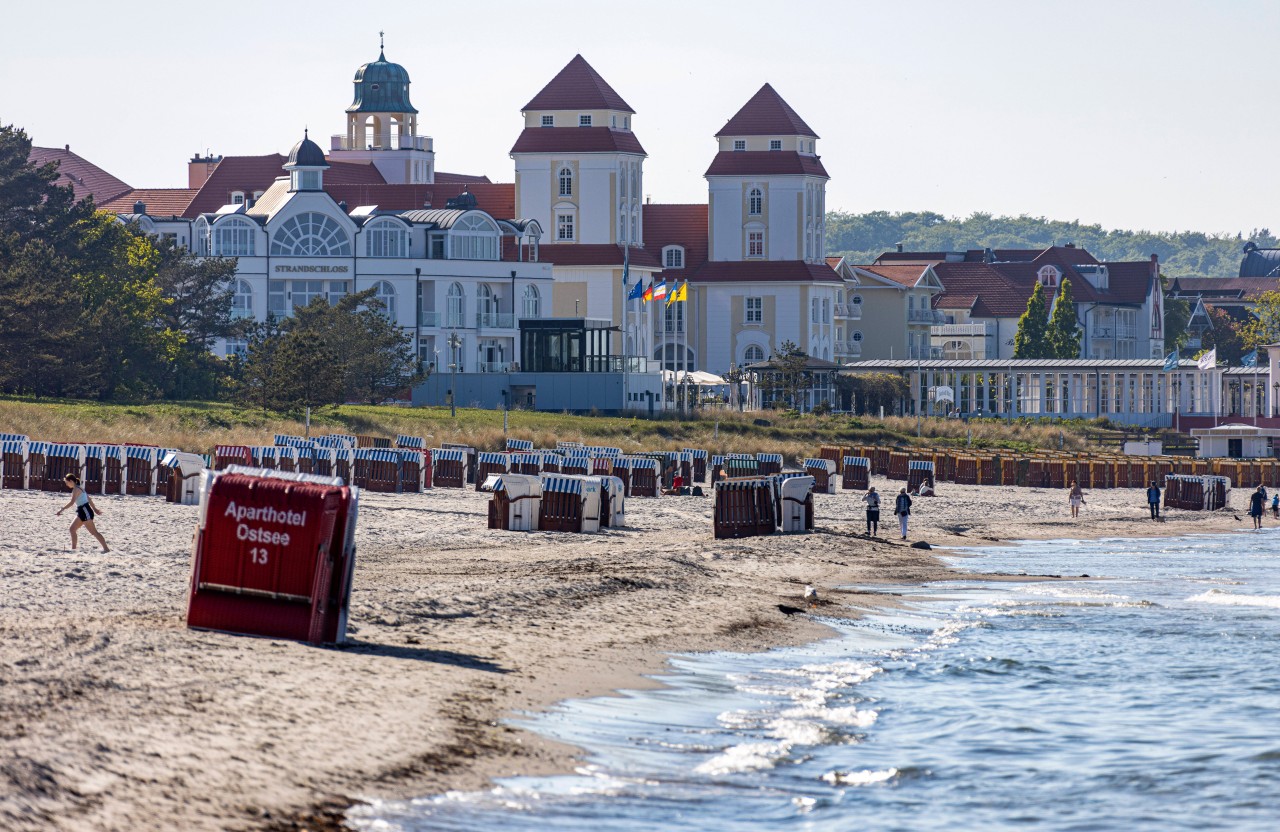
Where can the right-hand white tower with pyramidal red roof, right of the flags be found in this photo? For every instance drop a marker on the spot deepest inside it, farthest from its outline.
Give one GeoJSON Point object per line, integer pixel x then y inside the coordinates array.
{"type": "Point", "coordinates": [767, 186]}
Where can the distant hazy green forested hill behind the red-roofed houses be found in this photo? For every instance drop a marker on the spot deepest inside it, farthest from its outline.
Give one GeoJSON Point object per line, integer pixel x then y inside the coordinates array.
{"type": "Point", "coordinates": [1182, 254]}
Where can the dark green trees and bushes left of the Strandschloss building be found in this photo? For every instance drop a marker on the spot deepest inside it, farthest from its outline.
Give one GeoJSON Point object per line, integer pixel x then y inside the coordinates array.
{"type": "Point", "coordinates": [92, 308]}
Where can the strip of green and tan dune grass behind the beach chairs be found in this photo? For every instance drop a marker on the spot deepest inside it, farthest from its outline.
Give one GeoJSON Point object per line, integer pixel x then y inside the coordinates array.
{"type": "Point", "coordinates": [198, 427]}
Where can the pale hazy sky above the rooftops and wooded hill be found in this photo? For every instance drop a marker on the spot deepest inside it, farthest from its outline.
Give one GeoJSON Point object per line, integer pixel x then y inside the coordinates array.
{"type": "Point", "coordinates": [1155, 116]}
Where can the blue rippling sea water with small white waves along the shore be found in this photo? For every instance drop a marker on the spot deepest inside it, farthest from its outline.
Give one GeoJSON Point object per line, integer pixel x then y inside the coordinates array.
{"type": "Point", "coordinates": [1146, 697]}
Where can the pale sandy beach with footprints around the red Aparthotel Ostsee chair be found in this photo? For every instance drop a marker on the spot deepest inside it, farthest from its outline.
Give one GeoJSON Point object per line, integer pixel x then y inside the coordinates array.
{"type": "Point", "coordinates": [115, 716]}
